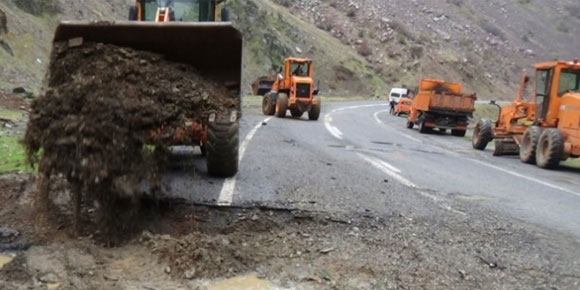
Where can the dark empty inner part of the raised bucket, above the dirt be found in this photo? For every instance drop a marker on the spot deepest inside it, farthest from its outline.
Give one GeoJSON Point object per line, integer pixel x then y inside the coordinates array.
{"type": "Point", "coordinates": [213, 48]}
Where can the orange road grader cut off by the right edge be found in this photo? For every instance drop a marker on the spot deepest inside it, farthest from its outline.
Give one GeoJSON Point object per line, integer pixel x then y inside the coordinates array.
{"type": "Point", "coordinates": [545, 129]}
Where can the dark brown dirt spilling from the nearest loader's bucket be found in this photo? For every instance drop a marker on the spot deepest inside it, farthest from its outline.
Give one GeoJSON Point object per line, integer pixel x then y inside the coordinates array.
{"type": "Point", "coordinates": [102, 103]}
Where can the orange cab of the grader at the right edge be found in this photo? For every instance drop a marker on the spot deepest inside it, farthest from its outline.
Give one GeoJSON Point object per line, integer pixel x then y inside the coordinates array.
{"type": "Point", "coordinates": [553, 81]}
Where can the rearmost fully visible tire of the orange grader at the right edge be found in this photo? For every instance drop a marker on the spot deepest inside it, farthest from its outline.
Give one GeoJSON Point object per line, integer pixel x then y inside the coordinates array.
{"type": "Point", "coordinates": [550, 149]}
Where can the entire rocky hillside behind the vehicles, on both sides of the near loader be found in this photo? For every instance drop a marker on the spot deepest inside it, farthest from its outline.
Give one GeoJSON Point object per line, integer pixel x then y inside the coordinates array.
{"type": "Point", "coordinates": [361, 47]}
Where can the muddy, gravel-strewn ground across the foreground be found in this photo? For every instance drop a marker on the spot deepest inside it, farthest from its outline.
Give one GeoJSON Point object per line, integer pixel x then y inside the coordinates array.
{"type": "Point", "coordinates": [181, 245]}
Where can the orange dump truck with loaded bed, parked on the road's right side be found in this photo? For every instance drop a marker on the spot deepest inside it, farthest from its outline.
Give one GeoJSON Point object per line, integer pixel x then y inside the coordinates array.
{"type": "Point", "coordinates": [442, 105]}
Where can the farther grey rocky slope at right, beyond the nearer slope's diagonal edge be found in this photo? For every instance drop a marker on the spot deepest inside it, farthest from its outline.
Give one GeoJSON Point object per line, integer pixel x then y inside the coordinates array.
{"type": "Point", "coordinates": [484, 44]}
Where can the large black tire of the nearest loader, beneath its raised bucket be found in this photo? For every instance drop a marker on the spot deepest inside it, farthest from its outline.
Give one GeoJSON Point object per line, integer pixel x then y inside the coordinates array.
{"type": "Point", "coordinates": [222, 149]}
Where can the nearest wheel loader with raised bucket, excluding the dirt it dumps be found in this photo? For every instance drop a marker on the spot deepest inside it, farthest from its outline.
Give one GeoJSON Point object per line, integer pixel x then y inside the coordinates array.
{"type": "Point", "coordinates": [189, 32]}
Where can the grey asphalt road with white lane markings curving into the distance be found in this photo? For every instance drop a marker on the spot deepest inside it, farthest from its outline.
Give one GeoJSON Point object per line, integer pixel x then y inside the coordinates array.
{"type": "Point", "coordinates": [358, 158]}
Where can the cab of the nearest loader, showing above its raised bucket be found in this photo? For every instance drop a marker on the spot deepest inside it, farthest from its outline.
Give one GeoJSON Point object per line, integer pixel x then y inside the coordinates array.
{"type": "Point", "coordinates": [179, 10]}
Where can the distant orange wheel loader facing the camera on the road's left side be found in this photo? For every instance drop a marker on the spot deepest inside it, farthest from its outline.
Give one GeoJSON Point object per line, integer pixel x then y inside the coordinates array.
{"type": "Point", "coordinates": [293, 90]}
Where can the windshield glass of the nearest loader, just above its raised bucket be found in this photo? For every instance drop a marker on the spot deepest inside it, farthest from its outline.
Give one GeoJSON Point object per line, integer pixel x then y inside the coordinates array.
{"type": "Point", "coordinates": [183, 10]}
